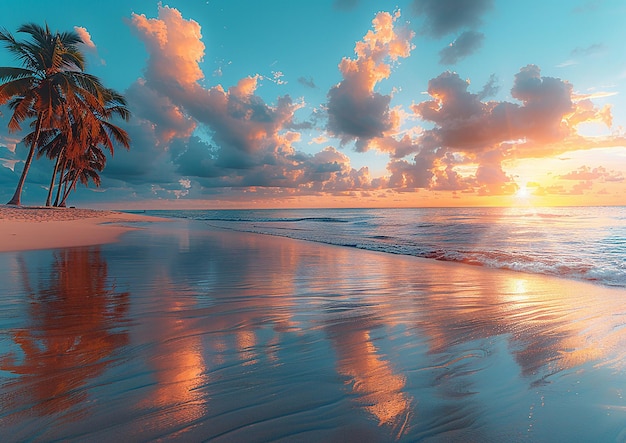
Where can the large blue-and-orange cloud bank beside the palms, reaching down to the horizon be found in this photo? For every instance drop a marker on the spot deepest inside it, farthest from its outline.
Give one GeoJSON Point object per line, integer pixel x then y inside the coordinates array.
{"type": "Point", "coordinates": [190, 139]}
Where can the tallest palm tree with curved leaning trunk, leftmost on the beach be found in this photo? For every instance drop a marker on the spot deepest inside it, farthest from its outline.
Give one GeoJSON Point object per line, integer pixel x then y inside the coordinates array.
{"type": "Point", "coordinates": [50, 84]}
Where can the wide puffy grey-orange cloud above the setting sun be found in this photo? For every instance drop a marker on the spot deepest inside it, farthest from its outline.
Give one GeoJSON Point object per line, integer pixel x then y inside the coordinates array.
{"type": "Point", "coordinates": [547, 112]}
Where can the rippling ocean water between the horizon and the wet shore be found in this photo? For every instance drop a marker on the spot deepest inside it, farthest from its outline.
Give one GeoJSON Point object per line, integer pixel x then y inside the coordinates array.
{"type": "Point", "coordinates": [580, 243]}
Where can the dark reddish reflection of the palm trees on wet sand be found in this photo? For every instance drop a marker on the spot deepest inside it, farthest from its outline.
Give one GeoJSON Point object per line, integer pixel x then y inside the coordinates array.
{"type": "Point", "coordinates": [71, 334]}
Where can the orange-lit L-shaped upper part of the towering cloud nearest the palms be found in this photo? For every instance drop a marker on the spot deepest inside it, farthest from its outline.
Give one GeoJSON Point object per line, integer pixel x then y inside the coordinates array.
{"type": "Point", "coordinates": [240, 120]}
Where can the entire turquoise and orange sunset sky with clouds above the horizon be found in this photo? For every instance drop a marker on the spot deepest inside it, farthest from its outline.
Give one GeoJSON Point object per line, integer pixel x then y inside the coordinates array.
{"type": "Point", "coordinates": [347, 103]}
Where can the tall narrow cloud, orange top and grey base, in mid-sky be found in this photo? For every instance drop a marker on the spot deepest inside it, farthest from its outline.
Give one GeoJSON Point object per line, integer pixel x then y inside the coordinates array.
{"type": "Point", "coordinates": [356, 112]}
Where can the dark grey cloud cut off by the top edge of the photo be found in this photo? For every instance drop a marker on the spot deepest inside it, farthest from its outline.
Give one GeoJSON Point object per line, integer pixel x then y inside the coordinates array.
{"type": "Point", "coordinates": [445, 17]}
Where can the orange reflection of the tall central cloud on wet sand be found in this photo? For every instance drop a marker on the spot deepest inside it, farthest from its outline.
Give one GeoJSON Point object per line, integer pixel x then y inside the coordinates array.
{"type": "Point", "coordinates": [345, 308]}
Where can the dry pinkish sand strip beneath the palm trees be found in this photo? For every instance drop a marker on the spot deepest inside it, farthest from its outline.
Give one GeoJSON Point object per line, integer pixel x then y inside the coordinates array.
{"type": "Point", "coordinates": [26, 228]}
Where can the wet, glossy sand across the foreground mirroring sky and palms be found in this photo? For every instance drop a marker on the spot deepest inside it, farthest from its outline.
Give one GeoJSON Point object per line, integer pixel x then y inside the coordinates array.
{"type": "Point", "coordinates": [182, 331]}
